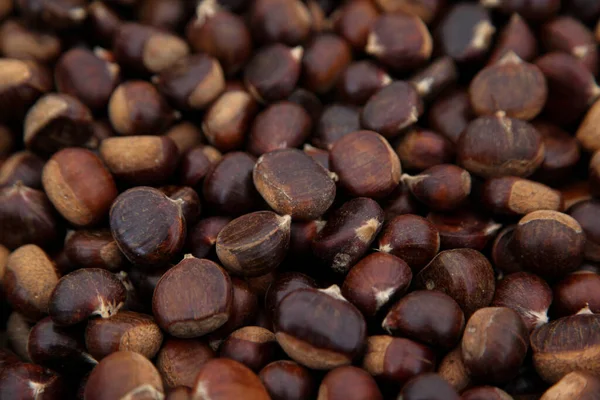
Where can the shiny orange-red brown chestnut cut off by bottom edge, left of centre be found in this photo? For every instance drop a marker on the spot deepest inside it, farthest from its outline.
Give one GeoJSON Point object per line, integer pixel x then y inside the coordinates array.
{"type": "Point", "coordinates": [223, 379]}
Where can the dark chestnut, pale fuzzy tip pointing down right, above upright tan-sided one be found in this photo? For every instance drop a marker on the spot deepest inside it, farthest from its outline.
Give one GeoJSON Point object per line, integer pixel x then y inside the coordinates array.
{"type": "Point", "coordinates": [527, 294]}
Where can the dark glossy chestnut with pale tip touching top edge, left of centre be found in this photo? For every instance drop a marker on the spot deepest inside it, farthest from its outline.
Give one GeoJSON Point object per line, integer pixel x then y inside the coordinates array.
{"type": "Point", "coordinates": [211, 32]}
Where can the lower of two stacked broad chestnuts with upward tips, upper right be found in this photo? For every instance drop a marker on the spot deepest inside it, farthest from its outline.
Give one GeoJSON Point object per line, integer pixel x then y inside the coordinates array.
{"type": "Point", "coordinates": [493, 146]}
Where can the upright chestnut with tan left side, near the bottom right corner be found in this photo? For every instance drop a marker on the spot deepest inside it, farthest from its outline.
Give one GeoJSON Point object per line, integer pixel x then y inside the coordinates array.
{"type": "Point", "coordinates": [494, 344]}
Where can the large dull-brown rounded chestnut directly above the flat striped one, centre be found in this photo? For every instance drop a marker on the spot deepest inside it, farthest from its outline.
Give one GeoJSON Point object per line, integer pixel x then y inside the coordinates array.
{"type": "Point", "coordinates": [276, 179]}
